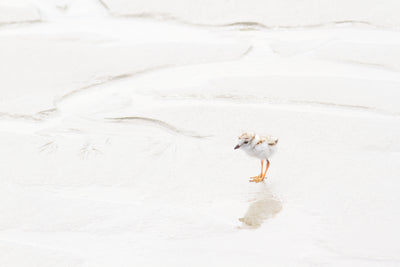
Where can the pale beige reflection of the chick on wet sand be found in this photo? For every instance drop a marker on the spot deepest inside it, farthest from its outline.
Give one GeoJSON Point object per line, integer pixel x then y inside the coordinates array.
{"type": "Point", "coordinates": [264, 206]}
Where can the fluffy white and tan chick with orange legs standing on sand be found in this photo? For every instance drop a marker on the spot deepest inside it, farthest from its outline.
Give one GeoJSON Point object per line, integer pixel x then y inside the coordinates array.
{"type": "Point", "coordinates": [261, 147]}
